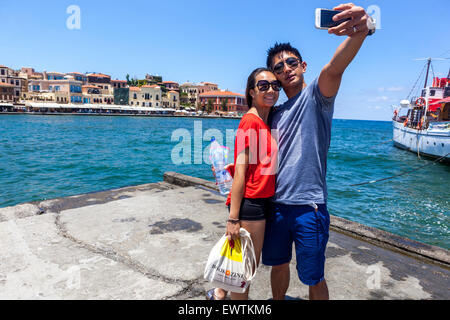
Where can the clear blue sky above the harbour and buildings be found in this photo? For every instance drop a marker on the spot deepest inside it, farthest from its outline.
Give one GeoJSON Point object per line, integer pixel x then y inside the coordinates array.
{"type": "Point", "coordinates": [223, 41]}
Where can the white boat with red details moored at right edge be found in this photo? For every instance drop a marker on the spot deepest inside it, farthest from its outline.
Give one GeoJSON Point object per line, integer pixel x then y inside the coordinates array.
{"type": "Point", "coordinates": [422, 123]}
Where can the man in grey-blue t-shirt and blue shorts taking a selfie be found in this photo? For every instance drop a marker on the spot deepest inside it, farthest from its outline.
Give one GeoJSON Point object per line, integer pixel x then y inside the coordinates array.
{"type": "Point", "coordinates": [299, 212]}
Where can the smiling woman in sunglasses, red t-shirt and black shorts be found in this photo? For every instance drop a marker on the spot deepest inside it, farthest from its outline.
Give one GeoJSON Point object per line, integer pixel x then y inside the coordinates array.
{"type": "Point", "coordinates": [255, 158]}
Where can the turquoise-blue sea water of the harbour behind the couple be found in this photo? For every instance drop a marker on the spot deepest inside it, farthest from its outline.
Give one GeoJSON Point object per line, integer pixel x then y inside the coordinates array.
{"type": "Point", "coordinates": [46, 157]}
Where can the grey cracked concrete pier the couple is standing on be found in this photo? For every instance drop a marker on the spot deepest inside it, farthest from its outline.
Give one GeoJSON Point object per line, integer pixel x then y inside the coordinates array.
{"type": "Point", "coordinates": [152, 241]}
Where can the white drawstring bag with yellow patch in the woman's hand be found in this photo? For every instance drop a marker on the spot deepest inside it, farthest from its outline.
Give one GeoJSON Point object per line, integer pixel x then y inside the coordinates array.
{"type": "Point", "coordinates": [232, 269]}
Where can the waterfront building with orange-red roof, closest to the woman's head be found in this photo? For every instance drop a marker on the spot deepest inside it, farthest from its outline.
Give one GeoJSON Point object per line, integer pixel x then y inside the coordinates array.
{"type": "Point", "coordinates": [223, 101]}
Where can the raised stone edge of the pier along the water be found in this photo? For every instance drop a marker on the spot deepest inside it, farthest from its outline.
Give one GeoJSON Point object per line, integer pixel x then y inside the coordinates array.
{"type": "Point", "coordinates": [415, 249]}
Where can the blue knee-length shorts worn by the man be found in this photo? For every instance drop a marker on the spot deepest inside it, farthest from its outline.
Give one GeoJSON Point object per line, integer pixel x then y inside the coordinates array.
{"type": "Point", "coordinates": [304, 226]}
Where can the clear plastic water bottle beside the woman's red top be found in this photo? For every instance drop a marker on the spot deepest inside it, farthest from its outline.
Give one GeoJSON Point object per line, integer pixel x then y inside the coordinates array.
{"type": "Point", "coordinates": [218, 156]}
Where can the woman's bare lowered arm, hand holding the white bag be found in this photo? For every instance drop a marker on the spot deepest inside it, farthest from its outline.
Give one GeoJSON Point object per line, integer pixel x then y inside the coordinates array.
{"type": "Point", "coordinates": [237, 194]}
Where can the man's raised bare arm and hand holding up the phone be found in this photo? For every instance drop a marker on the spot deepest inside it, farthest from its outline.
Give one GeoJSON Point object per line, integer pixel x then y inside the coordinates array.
{"type": "Point", "coordinates": [356, 29]}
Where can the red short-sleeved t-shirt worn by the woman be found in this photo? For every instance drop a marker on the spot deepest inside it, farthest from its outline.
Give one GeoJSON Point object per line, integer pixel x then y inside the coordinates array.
{"type": "Point", "coordinates": [255, 135]}
